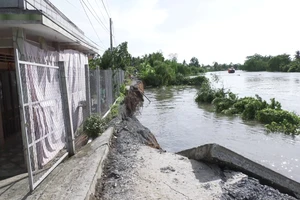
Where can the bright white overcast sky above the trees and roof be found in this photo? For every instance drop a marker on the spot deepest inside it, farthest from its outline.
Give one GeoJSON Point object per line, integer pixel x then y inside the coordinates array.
{"type": "Point", "coordinates": [211, 30]}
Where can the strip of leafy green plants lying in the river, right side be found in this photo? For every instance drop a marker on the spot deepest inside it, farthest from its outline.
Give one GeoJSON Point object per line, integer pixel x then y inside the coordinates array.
{"type": "Point", "coordinates": [250, 108]}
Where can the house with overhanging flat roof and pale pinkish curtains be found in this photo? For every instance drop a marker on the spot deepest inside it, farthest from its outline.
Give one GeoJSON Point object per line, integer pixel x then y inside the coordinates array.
{"type": "Point", "coordinates": [32, 106]}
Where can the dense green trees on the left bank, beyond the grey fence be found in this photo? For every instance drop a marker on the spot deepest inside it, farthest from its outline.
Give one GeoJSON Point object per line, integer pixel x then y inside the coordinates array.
{"type": "Point", "coordinates": [154, 69]}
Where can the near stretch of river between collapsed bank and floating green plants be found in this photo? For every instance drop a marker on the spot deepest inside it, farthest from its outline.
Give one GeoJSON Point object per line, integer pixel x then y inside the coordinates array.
{"type": "Point", "coordinates": [179, 123]}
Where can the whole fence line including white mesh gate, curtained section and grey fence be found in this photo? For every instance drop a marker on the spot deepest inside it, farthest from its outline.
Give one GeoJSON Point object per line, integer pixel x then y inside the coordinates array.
{"type": "Point", "coordinates": [55, 99]}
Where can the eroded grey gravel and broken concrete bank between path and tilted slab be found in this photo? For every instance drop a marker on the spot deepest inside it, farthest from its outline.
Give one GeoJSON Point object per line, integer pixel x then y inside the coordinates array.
{"type": "Point", "coordinates": [137, 168]}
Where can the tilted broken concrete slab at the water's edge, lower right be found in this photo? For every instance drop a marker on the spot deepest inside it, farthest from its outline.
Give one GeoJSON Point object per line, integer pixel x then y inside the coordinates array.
{"type": "Point", "coordinates": [223, 157]}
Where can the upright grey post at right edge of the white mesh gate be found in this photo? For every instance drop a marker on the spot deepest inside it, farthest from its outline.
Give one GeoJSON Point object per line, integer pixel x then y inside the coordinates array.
{"type": "Point", "coordinates": [66, 109]}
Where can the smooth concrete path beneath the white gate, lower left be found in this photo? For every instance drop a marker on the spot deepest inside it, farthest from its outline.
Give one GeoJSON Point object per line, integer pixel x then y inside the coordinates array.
{"type": "Point", "coordinates": [73, 179]}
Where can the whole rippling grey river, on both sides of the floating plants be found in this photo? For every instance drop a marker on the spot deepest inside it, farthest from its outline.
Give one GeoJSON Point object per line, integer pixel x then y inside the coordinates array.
{"type": "Point", "coordinates": [179, 123]}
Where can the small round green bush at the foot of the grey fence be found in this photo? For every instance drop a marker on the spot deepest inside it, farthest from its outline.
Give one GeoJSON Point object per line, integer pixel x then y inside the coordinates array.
{"type": "Point", "coordinates": [94, 126]}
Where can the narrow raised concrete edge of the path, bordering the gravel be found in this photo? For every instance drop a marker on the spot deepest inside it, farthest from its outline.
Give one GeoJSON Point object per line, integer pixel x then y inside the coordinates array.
{"type": "Point", "coordinates": [92, 189]}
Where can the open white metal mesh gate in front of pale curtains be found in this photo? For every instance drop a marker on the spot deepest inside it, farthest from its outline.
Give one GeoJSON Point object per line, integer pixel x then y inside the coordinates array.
{"type": "Point", "coordinates": [43, 122]}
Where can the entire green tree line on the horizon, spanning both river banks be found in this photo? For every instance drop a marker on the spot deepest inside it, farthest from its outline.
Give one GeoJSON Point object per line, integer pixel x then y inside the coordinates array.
{"type": "Point", "coordinates": [154, 69]}
